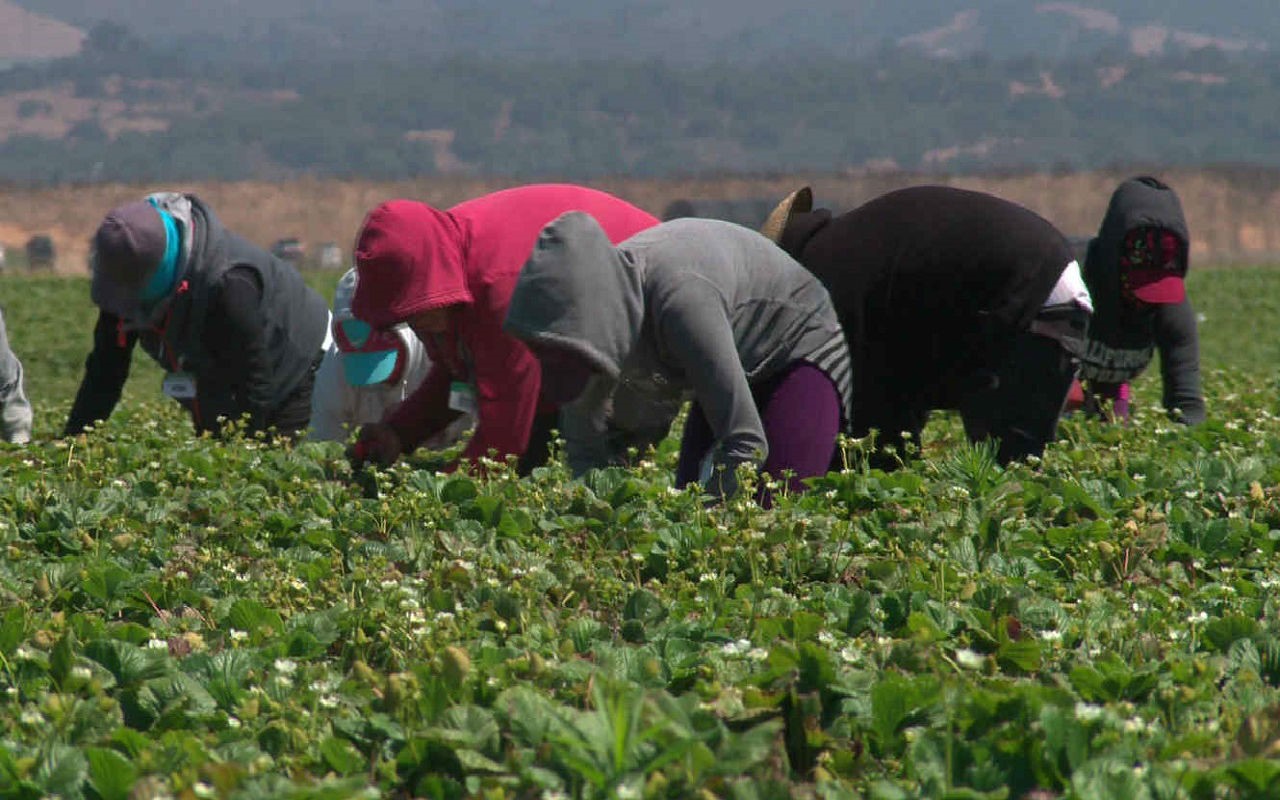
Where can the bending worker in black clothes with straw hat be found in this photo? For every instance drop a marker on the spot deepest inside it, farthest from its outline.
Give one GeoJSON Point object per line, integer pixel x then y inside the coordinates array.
{"type": "Point", "coordinates": [953, 300]}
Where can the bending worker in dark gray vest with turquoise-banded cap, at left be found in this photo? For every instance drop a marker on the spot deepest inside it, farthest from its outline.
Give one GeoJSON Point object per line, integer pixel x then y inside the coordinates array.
{"type": "Point", "coordinates": [236, 330]}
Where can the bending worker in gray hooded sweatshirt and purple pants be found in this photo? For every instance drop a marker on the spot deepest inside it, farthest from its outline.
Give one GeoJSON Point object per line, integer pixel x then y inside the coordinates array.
{"type": "Point", "coordinates": [692, 307]}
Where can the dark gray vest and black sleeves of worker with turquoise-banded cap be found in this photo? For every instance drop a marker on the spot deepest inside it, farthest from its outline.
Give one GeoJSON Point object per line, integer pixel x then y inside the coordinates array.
{"type": "Point", "coordinates": [241, 322]}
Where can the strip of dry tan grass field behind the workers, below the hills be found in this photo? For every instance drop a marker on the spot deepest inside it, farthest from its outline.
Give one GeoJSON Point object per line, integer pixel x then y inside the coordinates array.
{"type": "Point", "coordinates": [1231, 212]}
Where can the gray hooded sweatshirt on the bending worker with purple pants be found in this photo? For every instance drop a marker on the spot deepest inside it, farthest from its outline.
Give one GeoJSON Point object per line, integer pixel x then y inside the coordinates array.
{"type": "Point", "coordinates": [691, 307]}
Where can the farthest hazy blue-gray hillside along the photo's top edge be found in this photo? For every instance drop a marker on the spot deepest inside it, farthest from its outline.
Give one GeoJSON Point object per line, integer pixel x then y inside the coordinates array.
{"type": "Point", "coordinates": [679, 30]}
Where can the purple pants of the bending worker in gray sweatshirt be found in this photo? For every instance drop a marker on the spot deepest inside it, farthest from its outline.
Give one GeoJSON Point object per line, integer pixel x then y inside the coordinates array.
{"type": "Point", "coordinates": [801, 413]}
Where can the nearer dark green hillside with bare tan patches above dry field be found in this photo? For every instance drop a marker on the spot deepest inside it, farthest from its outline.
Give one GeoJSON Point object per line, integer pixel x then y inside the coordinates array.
{"type": "Point", "coordinates": [120, 112]}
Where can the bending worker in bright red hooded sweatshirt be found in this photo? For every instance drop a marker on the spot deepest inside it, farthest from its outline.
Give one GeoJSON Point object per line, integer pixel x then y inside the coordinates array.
{"type": "Point", "coordinates": [450, 276]}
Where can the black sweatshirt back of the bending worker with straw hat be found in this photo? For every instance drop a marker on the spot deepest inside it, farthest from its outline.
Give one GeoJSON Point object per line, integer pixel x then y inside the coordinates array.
{"type": "Point", "coordinates": [927, 280]}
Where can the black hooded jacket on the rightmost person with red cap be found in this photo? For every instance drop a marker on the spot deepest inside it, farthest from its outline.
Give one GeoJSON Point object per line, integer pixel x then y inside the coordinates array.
{"type": "Point", "coordinates": [1124, 335]}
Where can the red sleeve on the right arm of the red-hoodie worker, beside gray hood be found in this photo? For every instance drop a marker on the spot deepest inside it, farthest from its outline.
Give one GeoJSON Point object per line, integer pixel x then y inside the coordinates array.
{"type": "Point", "coordinates": [509, 383]}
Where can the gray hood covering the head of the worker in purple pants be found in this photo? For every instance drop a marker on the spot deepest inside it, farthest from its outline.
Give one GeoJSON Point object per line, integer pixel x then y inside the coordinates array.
{"type": "Point", "coordinates": [579, 292]}
